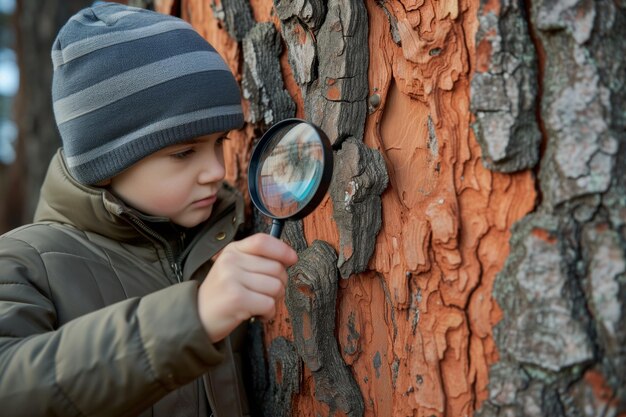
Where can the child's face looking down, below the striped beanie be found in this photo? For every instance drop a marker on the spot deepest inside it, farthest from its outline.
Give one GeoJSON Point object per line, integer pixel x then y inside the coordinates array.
{"type": "Point", "coordinates": [179, 182]}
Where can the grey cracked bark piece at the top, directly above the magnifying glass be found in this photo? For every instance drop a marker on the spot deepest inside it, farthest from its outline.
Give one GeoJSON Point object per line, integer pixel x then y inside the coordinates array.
{"type": "Point", "coordinates": [327, 48]}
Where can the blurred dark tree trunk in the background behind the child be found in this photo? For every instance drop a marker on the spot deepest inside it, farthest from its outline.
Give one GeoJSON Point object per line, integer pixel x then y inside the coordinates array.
{"type": "Point", "coordinates": [36, 26]}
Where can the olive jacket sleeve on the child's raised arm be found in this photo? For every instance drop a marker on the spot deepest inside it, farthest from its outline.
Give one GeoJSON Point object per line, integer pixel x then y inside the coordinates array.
{"type": "Point", "coordinates": [112, 362]}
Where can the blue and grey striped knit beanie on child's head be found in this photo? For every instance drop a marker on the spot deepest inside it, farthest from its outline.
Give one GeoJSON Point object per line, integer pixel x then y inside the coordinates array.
{"type": "Point", "coordinates": [128, 82]}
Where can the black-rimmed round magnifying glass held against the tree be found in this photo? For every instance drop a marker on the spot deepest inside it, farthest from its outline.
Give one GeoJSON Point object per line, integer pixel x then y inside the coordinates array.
{"type": "Point", "coordinates": [290, 171]}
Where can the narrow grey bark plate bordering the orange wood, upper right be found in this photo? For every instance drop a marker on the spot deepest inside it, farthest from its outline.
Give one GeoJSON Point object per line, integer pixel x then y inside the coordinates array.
{"type": "Point", "coordinates": [504, 88]}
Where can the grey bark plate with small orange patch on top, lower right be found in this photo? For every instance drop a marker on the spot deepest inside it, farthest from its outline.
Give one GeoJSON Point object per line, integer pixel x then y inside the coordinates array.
{"type": "Point", "coordinates": [536, 293]}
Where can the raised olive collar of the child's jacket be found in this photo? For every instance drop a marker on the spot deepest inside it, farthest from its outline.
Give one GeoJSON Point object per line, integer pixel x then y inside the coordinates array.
{"type": "Point", "coordinates": [97, 210]}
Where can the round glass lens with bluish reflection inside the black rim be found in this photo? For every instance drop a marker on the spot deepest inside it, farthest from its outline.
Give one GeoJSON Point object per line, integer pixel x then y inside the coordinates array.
{"type": "Point", "coordinates": [290, 170]}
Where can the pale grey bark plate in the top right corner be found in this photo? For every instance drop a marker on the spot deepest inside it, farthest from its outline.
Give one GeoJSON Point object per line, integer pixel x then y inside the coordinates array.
{"type": "Point", "coordinates": [584, 56]}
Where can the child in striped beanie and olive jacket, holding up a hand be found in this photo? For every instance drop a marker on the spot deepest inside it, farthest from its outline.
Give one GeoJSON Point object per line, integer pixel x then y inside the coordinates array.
{"type": "Point", "coordinates": [109, 303]}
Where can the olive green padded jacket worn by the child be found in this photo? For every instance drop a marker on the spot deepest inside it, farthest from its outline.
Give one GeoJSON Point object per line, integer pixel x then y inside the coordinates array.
{"type": "Point", "coordinates": [98, 310]}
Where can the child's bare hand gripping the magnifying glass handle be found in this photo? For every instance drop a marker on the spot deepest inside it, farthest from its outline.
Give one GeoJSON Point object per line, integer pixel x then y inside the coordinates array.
{"type": "Point", "coordinates": [246, 280]}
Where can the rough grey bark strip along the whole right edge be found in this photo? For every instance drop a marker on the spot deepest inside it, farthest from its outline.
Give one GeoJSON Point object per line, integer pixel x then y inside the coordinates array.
{"type": "Point", "coordinates": [563, 289]}
